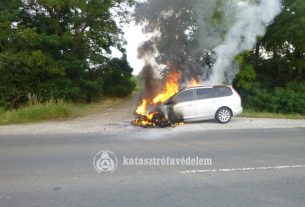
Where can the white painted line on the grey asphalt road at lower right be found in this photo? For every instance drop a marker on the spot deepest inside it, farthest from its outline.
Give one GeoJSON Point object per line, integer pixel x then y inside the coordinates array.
{"type": "Point", "coordinates": [244, 169]}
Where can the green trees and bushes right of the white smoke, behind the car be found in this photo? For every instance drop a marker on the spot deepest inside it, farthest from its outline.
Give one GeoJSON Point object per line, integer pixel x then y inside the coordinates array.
{"type": "Point", "coordinates": [272, 75]}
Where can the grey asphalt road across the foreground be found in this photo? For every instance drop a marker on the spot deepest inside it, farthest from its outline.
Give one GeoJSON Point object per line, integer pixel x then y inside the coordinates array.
{"type": "Point", "coordinates": [254, 167]}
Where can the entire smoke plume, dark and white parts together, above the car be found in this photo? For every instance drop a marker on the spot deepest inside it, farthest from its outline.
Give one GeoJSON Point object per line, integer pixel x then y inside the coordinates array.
{"type": "Point", "coordinates": [201, 38]}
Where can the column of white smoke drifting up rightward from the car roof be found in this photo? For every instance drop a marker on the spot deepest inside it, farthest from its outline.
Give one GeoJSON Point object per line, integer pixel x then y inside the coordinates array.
{"type": "Point", "coordinates": [251, 20]}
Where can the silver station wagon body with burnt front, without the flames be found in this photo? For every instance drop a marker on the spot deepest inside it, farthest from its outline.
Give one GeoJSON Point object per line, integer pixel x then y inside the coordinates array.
{"type": "Point", "coordinates": [199, 103]}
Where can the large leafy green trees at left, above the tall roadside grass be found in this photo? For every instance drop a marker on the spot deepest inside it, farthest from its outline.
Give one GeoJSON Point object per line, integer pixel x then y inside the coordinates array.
{"type": "Point", "coordinates": [51, 47]}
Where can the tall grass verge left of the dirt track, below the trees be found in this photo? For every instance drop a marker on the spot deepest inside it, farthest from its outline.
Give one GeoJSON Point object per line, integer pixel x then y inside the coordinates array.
{"type": "Point", "coordinates": [53, 111]}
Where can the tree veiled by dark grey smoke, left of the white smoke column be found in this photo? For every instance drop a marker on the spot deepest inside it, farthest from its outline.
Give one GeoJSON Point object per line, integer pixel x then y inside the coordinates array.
{"type": "Point", "coordinates": [187, 32]}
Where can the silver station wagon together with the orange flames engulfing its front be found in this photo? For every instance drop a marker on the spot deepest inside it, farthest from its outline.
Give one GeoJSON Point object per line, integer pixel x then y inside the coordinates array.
{"type": "Point", "coordinates": [193, 103]}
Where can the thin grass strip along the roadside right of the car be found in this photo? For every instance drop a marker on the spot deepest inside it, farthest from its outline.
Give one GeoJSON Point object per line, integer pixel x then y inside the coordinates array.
{"type": "Point", "coordinates": [259, 114]}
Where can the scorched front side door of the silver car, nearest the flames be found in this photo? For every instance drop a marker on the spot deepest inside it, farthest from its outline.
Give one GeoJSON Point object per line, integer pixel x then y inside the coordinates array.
{"type": "Point", "coordinates": [185, 105]}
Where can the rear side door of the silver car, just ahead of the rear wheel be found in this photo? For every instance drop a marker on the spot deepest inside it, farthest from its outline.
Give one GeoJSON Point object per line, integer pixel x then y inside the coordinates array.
{"type": "Point", "coordinates": [205, 103]}
